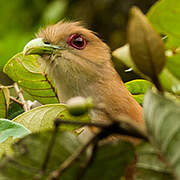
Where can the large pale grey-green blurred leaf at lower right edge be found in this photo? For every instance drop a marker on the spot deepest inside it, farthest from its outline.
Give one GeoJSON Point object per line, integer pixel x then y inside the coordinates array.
{"type": "Point", "coordinates": [163, 126]}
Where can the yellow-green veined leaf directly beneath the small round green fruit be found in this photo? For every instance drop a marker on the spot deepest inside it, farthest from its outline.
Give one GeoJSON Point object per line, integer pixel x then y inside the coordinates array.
{"type": "Point", "coordinates": [42, 118]}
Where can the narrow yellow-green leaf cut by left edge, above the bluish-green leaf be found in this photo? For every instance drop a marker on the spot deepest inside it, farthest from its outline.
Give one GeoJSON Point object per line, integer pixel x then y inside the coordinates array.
{"type": "Point", "coordinates": [4, 101]}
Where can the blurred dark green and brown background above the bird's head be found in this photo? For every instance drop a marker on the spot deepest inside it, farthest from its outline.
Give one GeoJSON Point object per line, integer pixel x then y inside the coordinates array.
{"type": "Point", "coordinates": [20, 19]}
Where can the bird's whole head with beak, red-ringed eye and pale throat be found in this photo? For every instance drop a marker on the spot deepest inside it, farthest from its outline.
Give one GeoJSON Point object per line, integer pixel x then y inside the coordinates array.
{"type": "Point", "coordinates": [74, 56]}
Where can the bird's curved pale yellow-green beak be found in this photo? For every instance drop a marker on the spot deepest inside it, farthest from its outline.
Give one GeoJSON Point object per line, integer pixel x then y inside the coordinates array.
{"type": "Point", "coordinates": [37, 46]}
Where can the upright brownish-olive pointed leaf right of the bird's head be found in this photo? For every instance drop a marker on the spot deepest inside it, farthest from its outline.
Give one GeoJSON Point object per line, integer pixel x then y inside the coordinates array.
{"type": "Point", "coordinates": [146, 46]}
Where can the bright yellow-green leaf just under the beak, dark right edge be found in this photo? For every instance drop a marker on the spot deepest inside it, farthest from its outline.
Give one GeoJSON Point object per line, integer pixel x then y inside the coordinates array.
{"type": "Point", "coordinates": [29, 74]}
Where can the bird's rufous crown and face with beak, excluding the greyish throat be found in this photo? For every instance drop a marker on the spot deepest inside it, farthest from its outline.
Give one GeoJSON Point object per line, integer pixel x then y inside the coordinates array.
{"type": "Point", "coordinates": [68, 39]}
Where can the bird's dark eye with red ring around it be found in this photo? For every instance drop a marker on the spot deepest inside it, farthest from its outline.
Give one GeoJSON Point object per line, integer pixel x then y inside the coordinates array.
{"type": "Point", "coordinates": [76, 41]}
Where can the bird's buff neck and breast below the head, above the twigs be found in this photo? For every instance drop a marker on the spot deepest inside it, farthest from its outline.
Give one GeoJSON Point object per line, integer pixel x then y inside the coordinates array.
{"type": "Point", "coordinates": [101, 83]}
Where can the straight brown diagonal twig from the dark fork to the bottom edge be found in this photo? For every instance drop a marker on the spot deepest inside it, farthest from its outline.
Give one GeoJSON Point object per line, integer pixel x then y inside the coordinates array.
{"type": "Point", "coordinates": [57, 173]}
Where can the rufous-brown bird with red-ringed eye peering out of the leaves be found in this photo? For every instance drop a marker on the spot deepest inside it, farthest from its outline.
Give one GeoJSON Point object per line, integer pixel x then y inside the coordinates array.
{"type": "Point", "coordinates": [79, 63]}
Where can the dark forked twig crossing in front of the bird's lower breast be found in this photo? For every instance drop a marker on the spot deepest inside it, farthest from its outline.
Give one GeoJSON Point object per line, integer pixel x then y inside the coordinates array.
{"type": "Point", "coordinates": [105, 130]}
